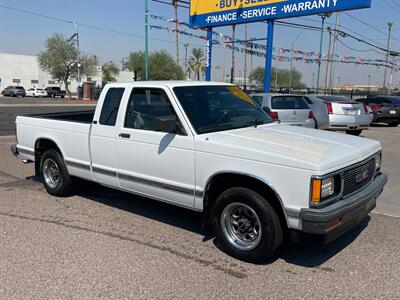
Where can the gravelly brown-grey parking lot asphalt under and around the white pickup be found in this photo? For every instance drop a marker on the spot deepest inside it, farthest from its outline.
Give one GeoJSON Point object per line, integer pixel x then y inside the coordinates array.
{"type": "Point", "coordinates": [101, 243]}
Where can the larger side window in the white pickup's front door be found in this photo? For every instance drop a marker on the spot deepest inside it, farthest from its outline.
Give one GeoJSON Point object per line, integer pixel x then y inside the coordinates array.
{"type": "Point", "coordinates": [147, 108]}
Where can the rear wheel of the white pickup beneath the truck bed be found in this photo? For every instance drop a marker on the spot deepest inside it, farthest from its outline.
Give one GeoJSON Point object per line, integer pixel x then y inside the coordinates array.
{"type": "Point", "coordinates": [63, 185]}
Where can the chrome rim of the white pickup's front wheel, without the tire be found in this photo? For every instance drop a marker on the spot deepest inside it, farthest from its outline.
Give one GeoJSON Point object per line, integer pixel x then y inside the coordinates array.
{"type": "Point", "coordinates": [241, 226]}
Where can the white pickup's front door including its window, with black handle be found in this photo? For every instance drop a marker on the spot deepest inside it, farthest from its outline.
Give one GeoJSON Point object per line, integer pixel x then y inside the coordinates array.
{"type": "Point", "coordinates": [153, 161]}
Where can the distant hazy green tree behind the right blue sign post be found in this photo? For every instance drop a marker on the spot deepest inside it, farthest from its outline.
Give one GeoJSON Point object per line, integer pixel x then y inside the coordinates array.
{"type": "Point", "coordinates": [279, 78]}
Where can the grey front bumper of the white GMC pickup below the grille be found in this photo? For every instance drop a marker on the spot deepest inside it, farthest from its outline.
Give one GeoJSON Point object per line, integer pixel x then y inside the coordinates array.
{"type": "Point", "coordinates": [334, 220]}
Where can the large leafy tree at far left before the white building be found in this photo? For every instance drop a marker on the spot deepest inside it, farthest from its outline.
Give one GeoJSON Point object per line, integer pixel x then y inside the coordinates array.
{"type": "Point", "coordinates": [60, 58]}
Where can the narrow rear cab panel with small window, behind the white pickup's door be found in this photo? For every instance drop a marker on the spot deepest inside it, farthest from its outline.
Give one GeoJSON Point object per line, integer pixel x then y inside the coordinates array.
{"type": "Point", "coordinates": [103, 135]}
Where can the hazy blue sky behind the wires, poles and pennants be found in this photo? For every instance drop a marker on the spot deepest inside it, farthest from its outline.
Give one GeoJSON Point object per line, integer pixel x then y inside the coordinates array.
{"type": "Point", "coordinates": [25, 34]}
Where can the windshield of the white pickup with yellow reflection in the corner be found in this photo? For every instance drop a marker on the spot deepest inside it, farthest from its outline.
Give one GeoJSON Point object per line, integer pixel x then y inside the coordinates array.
{"type": "Point", "coordinates": [218, 108]}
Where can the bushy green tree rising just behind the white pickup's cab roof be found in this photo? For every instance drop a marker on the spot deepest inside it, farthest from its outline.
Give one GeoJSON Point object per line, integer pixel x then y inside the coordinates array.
{"type": "Point", "coordinates": [162, 66]}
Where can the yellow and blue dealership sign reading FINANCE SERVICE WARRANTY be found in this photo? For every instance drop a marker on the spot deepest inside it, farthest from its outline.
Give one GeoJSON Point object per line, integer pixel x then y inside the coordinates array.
{"type": "Point", "coordinates": [211, 13]}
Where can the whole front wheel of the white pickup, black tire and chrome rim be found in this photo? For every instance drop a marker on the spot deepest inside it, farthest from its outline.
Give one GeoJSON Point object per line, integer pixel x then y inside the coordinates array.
{"type": "Point", "coordinates": [246, 225]}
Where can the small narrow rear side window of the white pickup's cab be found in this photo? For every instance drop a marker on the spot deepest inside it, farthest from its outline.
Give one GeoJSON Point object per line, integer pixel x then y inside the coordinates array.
{"type": "Point", "coordinates": [111, 103]}
